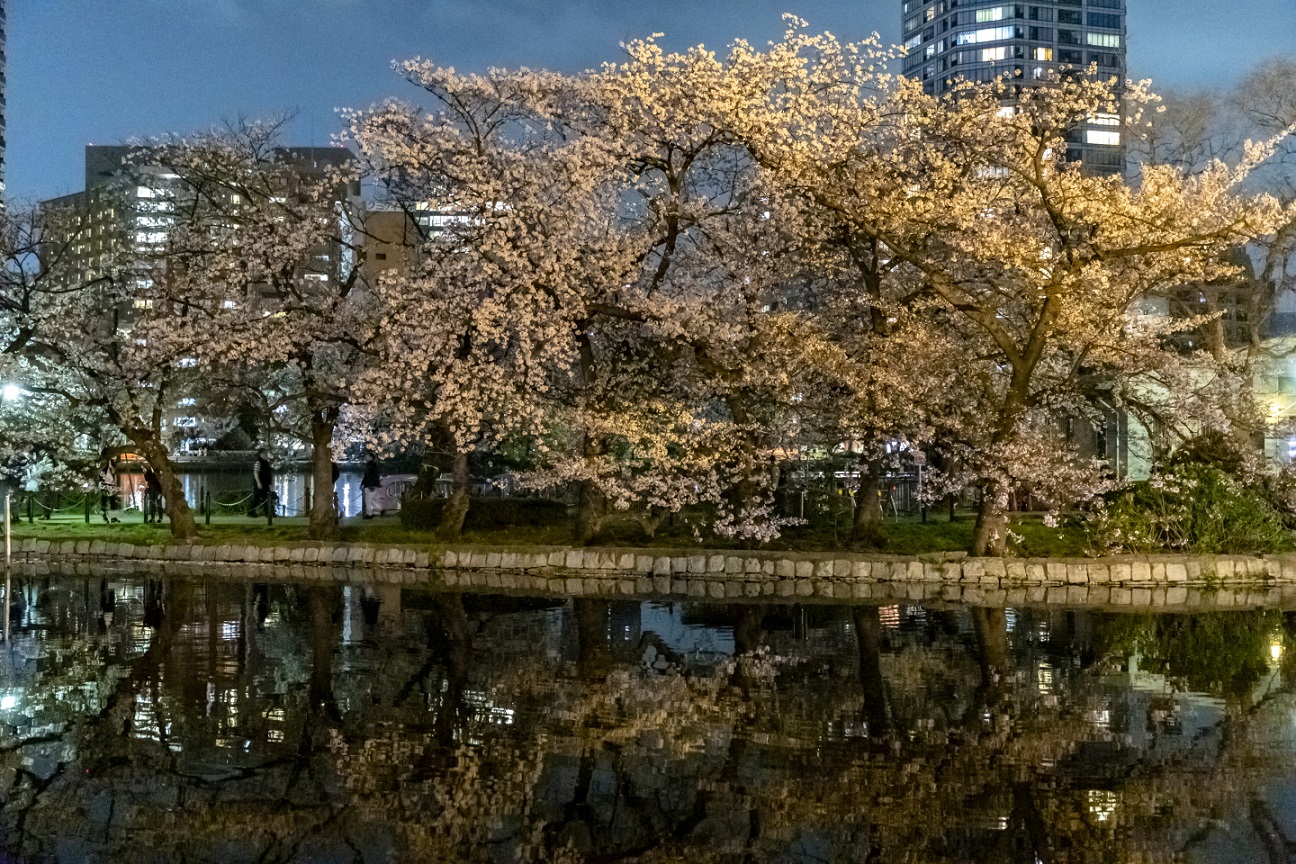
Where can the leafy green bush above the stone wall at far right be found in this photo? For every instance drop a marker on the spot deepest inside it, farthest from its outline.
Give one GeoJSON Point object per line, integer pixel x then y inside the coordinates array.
{"type": "Point", "coordinates": [1192, 507]}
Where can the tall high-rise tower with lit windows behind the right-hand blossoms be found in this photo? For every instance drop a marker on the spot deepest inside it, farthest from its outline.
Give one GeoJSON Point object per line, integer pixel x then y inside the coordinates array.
{"type": "Point", "coordinates": [949, 41]}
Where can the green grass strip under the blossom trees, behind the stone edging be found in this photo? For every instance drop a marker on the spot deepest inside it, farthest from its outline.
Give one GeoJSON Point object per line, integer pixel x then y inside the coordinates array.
{"type": "Point", "coordinates": [903, 537]}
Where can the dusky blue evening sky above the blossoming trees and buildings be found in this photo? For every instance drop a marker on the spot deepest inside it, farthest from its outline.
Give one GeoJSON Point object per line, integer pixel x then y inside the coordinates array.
{"type": "Point", "coordinates": [104, 71]}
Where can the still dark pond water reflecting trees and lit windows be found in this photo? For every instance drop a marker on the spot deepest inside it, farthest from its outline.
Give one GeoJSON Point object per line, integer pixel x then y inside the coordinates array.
{"type": "Point", "coordinates": [207, 721]}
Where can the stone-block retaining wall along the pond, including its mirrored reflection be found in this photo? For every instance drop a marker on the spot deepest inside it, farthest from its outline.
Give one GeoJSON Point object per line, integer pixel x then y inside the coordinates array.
{"type": "Point", "coordinates": [1164, 582]}
